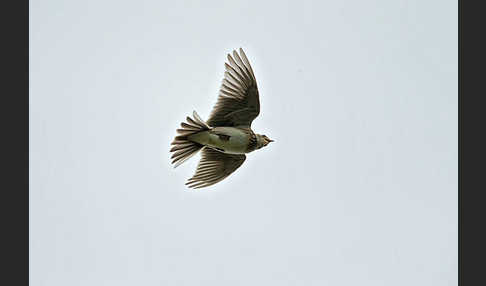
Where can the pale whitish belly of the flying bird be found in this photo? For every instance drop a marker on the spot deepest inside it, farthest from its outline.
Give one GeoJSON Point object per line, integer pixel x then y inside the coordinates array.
{"type": "Point", "coordinates": [225, 139]}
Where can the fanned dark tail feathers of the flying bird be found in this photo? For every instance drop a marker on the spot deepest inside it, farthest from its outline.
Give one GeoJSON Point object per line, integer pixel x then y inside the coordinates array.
{"type": "Point", "coordinates": [184, 148]}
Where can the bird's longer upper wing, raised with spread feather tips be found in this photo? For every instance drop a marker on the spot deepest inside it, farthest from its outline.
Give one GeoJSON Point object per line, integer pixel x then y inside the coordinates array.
{"type": "Point", "coordinates": [238, 101]}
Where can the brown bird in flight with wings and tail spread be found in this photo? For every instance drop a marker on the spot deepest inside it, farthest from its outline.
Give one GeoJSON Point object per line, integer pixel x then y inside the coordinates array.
{"type": "Point", "coordinates": [226, 137]}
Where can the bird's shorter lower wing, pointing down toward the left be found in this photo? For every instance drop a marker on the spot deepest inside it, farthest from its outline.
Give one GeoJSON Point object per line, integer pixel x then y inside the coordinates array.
{"type": "Point", "coordinates": [213, 167]}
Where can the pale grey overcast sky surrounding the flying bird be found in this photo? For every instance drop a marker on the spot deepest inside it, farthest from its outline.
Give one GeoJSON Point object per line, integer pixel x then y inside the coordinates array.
{"type": "Point", "coordinates": [359, 187]}
